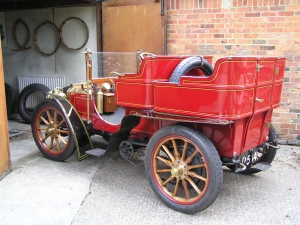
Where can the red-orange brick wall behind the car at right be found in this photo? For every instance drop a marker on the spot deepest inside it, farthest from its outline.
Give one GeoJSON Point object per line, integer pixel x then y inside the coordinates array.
{"type": "Point", "coordinates": [243, 27]}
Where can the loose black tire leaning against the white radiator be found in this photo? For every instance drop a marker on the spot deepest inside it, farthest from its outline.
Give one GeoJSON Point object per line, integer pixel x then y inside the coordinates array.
{"type": "Point", "coordinates": [28, 90]}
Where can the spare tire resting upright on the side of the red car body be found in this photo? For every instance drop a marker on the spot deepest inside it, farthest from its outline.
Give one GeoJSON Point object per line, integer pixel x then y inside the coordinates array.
{"type": "Point", "coordinates": [188, 64]}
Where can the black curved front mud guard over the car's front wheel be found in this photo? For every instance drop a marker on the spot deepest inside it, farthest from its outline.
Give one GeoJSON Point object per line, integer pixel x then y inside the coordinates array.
{"type": "Point", "coordinates": [78, 128]}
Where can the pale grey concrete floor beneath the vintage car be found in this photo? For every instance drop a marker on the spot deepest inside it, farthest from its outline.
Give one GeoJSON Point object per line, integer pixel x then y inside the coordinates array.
{"type": "Point", "coordinates": [109, 190]}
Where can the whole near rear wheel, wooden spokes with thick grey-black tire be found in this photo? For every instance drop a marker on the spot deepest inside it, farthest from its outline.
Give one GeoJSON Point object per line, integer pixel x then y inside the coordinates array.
{"type": "Point", "coordinates": [183, 168]}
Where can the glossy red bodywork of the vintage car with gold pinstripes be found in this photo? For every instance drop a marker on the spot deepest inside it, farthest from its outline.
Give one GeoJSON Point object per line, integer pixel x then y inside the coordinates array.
{"type": "Point", "coordinates": [232, 107]}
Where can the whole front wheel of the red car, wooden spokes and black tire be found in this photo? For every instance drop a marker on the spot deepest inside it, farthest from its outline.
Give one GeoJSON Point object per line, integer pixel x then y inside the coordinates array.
{"type": "Point", "coordinates": [51, 131]}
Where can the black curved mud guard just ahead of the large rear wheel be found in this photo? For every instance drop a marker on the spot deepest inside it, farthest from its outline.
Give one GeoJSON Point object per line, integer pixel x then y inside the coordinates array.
{"type": "Point", "coordinates": [128, 123]}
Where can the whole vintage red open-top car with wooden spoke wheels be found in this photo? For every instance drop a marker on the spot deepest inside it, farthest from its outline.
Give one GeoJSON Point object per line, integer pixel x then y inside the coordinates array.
{"type": "Point", "coordinates": [178, 115]}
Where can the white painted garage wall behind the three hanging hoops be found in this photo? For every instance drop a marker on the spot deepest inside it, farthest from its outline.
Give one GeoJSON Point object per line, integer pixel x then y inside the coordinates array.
{"type": "Point", "coordinates": [65, 62]}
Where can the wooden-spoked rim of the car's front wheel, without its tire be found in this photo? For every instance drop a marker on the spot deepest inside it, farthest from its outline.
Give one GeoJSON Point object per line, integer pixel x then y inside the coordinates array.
{"type": "Point", "coordinates": [52, 130]}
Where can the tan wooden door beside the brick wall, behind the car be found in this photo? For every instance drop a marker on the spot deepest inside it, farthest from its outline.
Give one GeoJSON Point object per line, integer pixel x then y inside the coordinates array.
{"type": "Point", "coordinates": [130, 25]}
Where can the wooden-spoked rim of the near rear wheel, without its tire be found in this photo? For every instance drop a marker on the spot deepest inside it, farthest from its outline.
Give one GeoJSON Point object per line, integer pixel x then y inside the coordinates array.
{"type": "Point", "coordinates": [180, 170]}
